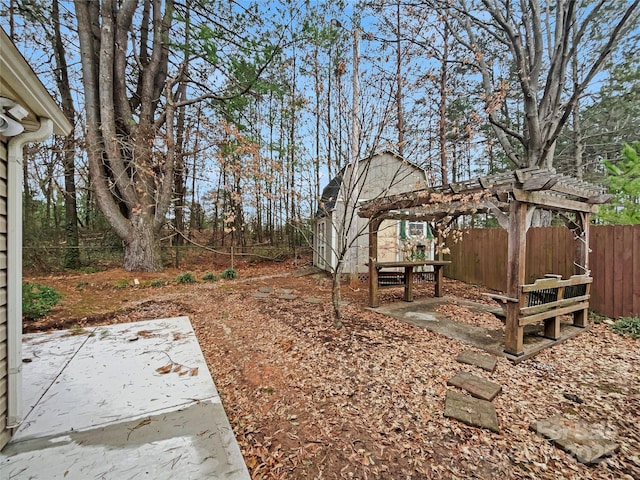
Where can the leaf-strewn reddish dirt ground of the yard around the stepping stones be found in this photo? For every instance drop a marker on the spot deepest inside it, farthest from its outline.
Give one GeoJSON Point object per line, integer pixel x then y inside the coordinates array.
{"type": "Point", "coordinates": [310, 401]}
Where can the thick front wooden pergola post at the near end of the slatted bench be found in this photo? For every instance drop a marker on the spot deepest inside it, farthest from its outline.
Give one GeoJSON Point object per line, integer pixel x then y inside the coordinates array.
{"type": "Point", "coordinates": [516, 256]}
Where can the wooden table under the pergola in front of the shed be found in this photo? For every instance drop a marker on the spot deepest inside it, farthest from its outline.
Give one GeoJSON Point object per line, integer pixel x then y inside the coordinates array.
{"type": "Point", "coordinates": [381, 276]}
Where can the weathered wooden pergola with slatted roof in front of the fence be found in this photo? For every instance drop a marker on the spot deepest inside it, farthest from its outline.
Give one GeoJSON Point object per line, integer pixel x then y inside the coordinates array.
{"type": "Point", "coordinates": [513, 198]}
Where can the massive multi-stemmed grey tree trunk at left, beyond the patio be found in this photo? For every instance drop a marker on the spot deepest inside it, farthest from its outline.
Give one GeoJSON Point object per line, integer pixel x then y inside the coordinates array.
{"type": "Point", "coordinates": [120, 131]}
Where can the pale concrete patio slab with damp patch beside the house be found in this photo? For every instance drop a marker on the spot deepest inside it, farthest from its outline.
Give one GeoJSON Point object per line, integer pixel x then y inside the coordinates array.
{"type": "Point", "coordinates": [119, 402]}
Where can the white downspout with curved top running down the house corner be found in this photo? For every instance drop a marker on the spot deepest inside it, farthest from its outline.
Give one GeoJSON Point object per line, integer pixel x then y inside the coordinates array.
{"type": "Point", "coordinates": [14, 267]}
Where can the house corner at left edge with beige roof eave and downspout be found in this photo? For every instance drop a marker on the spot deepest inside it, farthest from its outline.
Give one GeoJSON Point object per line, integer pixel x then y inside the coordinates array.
{"type": "Point", "coordinates": [19, 84]}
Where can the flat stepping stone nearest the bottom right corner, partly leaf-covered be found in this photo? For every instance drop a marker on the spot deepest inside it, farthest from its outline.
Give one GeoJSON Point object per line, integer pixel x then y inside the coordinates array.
{"type": "Point", "coordinates": [586, 445]}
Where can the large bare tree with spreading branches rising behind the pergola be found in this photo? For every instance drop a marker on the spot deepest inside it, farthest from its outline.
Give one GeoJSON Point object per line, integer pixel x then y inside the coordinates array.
{"type": "Point", "coordinates": [539, 40]}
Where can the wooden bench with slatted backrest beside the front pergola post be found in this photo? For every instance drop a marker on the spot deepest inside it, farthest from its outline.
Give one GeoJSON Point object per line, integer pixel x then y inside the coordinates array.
{"type": "Point", "coordinates": [546, 300]}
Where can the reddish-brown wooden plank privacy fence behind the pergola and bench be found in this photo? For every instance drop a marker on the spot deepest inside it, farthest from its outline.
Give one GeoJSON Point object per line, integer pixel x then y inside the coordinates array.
{"type": "Point", "coordinates": [614, 261]}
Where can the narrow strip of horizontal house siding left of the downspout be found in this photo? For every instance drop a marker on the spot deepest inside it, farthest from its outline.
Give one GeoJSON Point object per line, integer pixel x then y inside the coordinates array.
{"type": "Point", "coordinates": [4, 433]}
